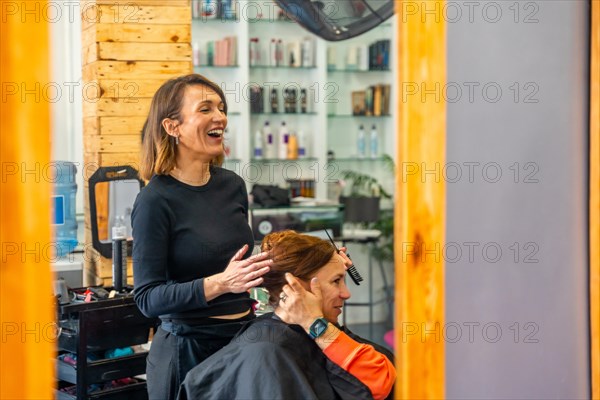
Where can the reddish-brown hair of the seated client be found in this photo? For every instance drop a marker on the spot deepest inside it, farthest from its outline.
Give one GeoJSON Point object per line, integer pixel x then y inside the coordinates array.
{"type": "Point", "coordinates": [300, 255]}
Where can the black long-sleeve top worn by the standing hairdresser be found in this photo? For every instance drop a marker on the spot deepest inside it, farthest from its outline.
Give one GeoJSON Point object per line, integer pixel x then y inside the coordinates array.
{"type": "Point", "coordinates": [182, 234]}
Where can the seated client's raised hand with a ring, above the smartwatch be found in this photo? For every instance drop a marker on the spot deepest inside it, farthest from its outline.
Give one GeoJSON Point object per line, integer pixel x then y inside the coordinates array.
{"type": "Point", "coordinates": [301, 307]}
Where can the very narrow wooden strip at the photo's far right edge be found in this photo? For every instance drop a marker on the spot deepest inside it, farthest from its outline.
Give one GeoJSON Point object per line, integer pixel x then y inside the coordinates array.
{"type": "Point", "coordinates": [595, 198]}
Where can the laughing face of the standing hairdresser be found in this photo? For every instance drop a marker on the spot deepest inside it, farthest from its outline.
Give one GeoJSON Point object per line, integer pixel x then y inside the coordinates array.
{"type": "Point", "coordinates": [203, 121]}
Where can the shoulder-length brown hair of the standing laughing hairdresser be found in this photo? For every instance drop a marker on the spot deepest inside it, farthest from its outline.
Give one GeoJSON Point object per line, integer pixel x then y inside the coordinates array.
{"type": "Point", "coordinates": [158, 148]}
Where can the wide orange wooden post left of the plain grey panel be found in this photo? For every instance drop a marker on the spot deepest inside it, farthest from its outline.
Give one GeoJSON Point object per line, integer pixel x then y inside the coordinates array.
{"type": "Point", "coordinates": [419, 220]}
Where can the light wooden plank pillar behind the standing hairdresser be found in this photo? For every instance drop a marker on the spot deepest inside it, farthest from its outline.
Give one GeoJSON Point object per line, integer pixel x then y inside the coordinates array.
{"type": "Point", "coordinates": [129, 48]}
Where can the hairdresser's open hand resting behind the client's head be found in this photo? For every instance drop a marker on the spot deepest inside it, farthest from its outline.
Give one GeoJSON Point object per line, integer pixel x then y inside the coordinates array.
{"type": "Point", "coordinates": [239, 276]}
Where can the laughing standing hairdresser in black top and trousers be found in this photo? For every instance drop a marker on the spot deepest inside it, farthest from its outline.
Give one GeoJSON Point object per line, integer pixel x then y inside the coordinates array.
{"type": "Point", "coordinates": [192, 246]}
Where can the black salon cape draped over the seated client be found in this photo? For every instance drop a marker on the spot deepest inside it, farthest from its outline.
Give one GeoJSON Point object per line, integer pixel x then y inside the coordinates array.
{"type": "Point", "coordinates": [270, 360]}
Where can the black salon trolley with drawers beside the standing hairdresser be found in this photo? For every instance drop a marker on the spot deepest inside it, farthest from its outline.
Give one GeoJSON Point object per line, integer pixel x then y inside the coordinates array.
{"type": "Point", "coordinates": [95, 327]}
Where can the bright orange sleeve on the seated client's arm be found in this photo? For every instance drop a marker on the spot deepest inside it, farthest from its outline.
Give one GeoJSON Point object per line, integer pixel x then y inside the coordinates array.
{"type": "Point", "coordinates": [364, 362]}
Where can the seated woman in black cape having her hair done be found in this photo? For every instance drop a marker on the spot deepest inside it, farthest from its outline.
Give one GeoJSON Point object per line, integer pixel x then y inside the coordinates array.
{"type": "Point", "coordinates": [299, 351]}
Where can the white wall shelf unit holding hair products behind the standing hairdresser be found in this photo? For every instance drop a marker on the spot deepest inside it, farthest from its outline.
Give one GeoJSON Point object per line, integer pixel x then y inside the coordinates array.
{"type": "Point", "coordinates": [329, 123]}
